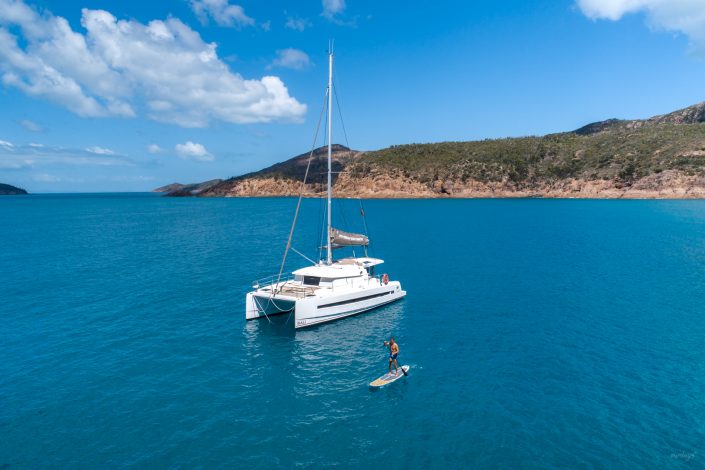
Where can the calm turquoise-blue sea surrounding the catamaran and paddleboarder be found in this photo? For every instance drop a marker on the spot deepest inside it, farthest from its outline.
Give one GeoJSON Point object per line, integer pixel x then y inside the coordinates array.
{"type": "Point", "coordinates": [540, 334]}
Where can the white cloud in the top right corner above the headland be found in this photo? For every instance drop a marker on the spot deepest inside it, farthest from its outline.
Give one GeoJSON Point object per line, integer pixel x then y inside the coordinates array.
{"type": "Point", "coordinates": [682, 16]}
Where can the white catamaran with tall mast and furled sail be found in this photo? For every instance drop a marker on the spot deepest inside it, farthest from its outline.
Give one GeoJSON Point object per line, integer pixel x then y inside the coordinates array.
{"type": "Point", "coordinates": [329, 289]}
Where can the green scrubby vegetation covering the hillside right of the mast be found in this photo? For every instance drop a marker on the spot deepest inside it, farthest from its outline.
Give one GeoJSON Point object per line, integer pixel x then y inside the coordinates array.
{"type": "Point", "coordinates": [623, 155]}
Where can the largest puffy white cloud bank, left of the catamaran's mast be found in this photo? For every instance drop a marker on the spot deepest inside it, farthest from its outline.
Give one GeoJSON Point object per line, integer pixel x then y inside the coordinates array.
{"type": "Point", "coordinates": [119, 64]}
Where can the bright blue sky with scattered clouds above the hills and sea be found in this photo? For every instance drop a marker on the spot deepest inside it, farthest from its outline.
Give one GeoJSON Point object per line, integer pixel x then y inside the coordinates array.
{"type": "Point", "coordinates": [128, 96]}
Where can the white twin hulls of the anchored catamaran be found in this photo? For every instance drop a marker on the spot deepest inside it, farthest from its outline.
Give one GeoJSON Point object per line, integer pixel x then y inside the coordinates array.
{"type": "Point", "coordinates": [314, 310]}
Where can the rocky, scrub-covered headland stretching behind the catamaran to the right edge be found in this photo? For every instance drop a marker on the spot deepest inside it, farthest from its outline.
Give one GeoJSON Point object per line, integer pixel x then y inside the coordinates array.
{"type": "Point", "coordinates": [660, 157]}
